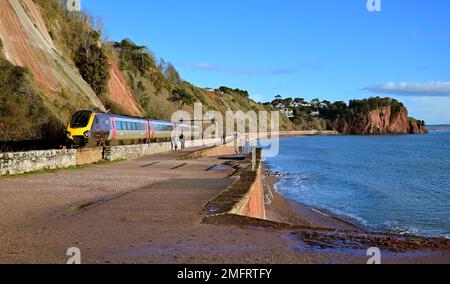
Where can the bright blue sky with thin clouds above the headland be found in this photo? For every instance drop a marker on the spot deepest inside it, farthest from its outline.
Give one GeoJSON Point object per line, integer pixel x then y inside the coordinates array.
{"type": "Point", "coordinates": [334, 50]}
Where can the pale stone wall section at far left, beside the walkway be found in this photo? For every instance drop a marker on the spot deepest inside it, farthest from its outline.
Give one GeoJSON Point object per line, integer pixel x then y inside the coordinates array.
{"type": "Point", "coordinates": [26, 162]}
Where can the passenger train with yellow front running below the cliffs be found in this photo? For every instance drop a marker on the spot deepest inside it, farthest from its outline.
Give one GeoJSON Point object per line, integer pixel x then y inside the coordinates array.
{"type": "Point", "coordinates": [93, 129]}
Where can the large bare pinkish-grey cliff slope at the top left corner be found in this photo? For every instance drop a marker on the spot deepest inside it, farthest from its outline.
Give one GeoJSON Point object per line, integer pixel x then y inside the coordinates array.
{"type": "Point", "coordinates": [27, 43]}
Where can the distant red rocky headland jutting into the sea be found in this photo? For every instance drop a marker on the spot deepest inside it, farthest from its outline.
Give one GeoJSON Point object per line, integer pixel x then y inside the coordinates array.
{"type": "Point", "coordinates": [385, 120]}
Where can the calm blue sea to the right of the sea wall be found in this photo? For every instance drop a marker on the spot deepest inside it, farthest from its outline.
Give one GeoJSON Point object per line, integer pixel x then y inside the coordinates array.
{"type": "Point", "coordinates": [395, 184]}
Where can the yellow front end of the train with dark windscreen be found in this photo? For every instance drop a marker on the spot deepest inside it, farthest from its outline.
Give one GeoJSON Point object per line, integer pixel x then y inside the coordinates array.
{"type": "Point", "coordinates": [78, 131]}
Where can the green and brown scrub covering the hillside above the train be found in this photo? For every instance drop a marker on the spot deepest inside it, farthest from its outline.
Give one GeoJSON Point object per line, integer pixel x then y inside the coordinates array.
{"type": "Point", "coordinates": [30, 112]}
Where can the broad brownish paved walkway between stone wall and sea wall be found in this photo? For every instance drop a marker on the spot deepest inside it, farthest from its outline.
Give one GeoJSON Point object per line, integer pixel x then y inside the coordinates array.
{"type": "Point", "coordinates": [141, 211]}
